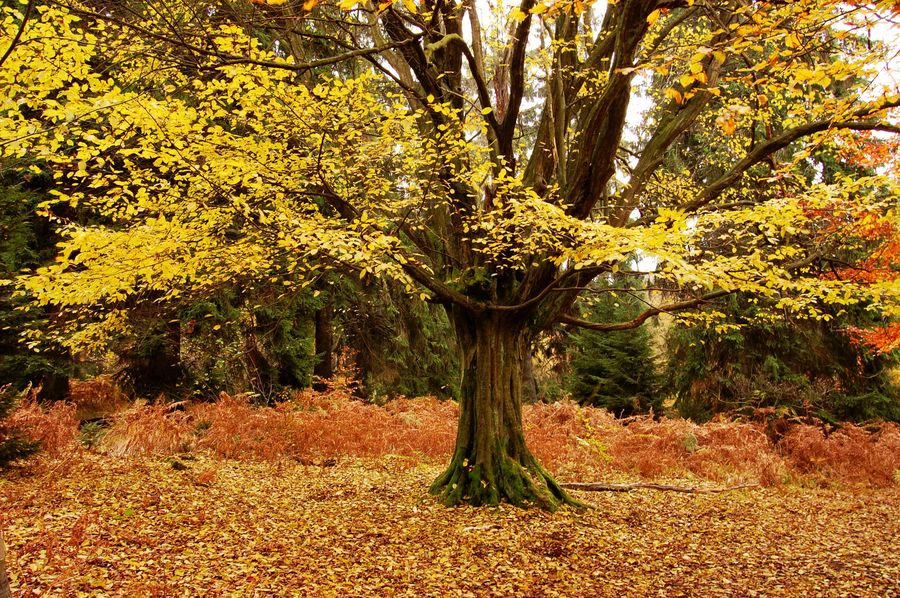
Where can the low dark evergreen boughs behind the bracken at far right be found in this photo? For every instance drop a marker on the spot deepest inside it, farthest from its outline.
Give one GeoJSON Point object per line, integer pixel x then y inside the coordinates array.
{"type": "Point", "coordinates": [803, 366]}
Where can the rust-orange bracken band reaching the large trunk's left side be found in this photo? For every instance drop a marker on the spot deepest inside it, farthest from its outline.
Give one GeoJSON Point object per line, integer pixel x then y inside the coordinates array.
{"type": "Point", "coordinates": [312, 428]}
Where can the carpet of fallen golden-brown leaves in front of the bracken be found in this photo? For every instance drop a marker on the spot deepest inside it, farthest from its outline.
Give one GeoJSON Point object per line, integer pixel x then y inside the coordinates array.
{"type": "Point", "coordinates": [98, 526]}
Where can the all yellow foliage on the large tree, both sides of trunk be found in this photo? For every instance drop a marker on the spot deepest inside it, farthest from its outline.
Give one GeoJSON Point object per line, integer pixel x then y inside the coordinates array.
{"type": "Point", "coordinates": [207, 178]}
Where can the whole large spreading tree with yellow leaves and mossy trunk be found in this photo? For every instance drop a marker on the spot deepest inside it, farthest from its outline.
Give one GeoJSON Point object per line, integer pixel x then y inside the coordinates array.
{"type": "Point", "coordinates": [474, 153]}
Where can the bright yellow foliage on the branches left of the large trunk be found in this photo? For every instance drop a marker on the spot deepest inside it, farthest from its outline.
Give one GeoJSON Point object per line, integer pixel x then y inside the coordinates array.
{"type": "Point", "coordinates": [204, 189]}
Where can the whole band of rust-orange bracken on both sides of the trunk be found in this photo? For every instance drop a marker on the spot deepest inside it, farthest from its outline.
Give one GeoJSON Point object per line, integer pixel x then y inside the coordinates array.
{"type": "Point", "coordinates": [577, 443]}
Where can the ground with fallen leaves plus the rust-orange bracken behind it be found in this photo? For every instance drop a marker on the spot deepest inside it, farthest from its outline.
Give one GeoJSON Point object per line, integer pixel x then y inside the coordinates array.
{"type": "Point", "coordinates": [325, 495]}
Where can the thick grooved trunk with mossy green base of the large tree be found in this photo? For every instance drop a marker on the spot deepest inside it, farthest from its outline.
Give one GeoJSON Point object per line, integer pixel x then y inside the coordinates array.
{"type": "Point", "coordinates": [491, 462]}
